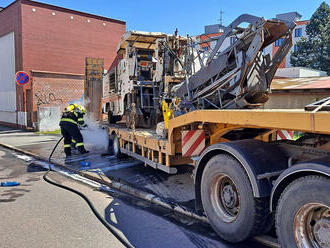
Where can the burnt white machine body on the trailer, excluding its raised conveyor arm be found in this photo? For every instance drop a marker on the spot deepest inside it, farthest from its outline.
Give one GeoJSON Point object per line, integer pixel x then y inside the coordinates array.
{"type": "Point", "coordinates": [145, 67]}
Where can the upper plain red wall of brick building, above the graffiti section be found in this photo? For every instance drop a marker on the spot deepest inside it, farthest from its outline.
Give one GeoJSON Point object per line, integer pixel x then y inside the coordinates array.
{"type": "Point", "coordinates": [58, 43]}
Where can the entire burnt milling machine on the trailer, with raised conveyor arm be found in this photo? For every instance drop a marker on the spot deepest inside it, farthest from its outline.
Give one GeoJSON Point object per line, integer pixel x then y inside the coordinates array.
{"type": "Point", "coordinates": [160, 76]}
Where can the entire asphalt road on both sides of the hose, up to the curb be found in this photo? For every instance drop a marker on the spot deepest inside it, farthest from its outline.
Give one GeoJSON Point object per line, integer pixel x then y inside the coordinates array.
{"type": "Point", "coordinates": [36, 214]}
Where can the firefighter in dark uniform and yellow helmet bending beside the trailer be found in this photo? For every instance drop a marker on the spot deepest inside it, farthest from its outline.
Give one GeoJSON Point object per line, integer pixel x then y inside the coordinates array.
{"type": "Point", "coordinates": [70, 130]}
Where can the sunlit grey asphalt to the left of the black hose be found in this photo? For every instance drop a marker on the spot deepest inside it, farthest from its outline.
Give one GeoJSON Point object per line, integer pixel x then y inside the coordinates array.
{"type": "Point", "coordinates": [37, 214]}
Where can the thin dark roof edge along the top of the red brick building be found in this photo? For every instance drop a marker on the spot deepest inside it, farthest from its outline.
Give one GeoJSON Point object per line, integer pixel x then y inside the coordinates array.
{"type": "Point", "coordinates": [53, 7]}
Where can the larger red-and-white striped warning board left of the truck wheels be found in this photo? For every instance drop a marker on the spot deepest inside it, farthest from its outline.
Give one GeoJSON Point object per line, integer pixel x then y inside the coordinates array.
{"type": "Point", "coordinates": [193, 143]}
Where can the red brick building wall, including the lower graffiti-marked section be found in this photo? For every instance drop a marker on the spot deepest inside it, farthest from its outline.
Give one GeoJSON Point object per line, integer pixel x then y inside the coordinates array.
{"type": "Point", "coordinates": [60, 43]}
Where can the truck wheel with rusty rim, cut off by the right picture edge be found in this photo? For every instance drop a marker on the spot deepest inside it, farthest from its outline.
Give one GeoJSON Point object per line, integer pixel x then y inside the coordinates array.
{"type": "Point", "coordinates": [303, 213]}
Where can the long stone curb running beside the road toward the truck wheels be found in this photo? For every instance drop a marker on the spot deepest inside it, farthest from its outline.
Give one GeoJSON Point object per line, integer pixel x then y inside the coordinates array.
{"type": "Point", "coordinates": [151, 198]}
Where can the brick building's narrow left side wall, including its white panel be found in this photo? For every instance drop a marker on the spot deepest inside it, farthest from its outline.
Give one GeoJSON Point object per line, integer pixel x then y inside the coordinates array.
{"type": "Point", "coordinates": [11, 61]}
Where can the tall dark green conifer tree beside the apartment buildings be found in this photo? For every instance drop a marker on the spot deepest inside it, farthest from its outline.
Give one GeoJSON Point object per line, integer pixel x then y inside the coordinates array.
{"type": "Point", "coordinates": [314, 51]}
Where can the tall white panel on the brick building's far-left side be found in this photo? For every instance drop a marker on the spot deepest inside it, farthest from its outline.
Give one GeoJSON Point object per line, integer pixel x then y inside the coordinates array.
{"type": "Point", "coordinates": [7, 79]}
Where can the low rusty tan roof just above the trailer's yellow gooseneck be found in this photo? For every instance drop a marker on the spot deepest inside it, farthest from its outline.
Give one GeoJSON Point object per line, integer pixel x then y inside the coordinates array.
{"type": "Point", "coordinates": [313, 83]}
